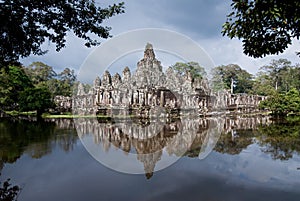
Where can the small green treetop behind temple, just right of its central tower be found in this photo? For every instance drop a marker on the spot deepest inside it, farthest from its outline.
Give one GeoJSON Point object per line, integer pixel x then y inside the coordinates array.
{"type": "Point", "coordinates": [193, 68]}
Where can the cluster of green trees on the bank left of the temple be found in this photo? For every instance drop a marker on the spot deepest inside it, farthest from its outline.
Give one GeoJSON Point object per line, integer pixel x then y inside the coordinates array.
{"type": "Point", "coordinates": [34, 87]}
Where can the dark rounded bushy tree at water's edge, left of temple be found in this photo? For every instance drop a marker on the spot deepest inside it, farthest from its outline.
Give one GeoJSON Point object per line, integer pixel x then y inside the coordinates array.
{"type": "Point", "coordinates": [38, 99]}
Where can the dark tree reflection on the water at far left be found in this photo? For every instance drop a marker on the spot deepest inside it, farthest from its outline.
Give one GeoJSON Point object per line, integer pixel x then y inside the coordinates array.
{"type": "Point", "coordinates": [33, 137]}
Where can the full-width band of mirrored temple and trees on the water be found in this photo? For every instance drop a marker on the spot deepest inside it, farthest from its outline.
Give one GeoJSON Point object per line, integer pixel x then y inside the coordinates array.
{"type": "Point", "coordinates": [151, 142]}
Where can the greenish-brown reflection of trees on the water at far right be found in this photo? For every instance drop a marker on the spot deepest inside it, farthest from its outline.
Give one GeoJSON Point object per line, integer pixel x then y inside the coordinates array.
{"type": "Point", "coordinates": [280, 139]}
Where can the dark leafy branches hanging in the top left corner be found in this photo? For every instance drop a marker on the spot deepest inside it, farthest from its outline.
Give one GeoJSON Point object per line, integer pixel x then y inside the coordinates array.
{"type": "Point", "coordinates": [26, 25]}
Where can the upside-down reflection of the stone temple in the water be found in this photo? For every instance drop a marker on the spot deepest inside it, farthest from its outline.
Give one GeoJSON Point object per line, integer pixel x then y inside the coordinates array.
{"type": "Point", "coordinates": [150, 140]}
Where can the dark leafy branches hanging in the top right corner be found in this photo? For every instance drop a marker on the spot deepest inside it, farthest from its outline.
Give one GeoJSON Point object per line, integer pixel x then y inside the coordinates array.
{"type": "Point", "coordinates": [265, 27]}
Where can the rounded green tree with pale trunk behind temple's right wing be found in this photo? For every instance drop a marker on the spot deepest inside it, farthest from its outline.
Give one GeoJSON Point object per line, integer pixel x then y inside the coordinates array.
{"type": "Point", "coordinates": [232, 77]}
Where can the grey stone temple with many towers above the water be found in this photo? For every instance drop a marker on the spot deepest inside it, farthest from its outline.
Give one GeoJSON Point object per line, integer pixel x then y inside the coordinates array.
{"type": "Point", "coordinates": [151, 91]}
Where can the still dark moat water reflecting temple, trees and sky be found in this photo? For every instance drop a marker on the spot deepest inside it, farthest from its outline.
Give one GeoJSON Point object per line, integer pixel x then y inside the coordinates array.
{"type": "Point", "coordinates": [214, 159]}
